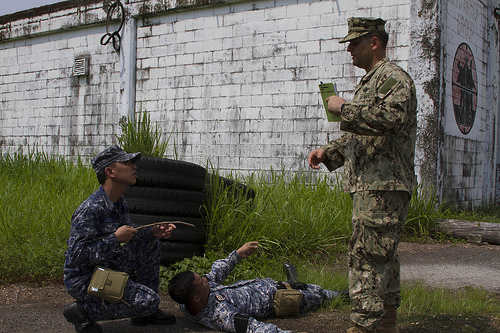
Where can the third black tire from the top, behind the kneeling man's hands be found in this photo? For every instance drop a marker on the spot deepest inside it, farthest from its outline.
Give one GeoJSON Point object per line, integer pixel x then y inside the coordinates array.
{"type": "Point", "coordinates": [182, 233]}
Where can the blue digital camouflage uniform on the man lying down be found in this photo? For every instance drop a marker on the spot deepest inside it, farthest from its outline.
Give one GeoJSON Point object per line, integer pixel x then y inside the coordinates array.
{"type": "Point", "coordinates": [252, 298]}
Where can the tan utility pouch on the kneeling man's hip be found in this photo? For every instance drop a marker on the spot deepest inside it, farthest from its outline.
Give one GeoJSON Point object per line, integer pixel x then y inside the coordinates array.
{"type": "Point", "coordinates": [108, 284]}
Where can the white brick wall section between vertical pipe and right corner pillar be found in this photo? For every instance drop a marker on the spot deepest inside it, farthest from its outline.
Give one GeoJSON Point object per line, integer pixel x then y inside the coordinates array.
{"type": "Point", "coordinates": [239, 82]}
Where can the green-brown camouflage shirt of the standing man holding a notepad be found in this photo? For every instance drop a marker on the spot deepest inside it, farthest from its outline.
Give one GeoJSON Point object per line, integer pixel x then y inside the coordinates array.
{"type": "Point", "coordinates": [378, 150]}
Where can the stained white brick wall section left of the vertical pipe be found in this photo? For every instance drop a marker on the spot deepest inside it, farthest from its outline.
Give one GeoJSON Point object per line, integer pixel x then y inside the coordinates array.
{"type": "Point", "coordinates": [41, 103]}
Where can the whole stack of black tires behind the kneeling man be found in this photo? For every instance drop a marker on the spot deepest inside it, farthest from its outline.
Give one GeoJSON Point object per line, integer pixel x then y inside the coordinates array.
{"type": "Point", "coordinates": [171, 190]}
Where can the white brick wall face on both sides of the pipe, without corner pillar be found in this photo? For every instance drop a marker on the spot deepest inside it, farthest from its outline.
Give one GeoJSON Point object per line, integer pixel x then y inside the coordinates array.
{"type": "Point", "coordinates": [238, 82]}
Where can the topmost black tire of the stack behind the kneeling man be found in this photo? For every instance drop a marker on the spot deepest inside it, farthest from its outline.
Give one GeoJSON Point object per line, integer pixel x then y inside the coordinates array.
{"type": "Point", "coordinates": [164, 172]}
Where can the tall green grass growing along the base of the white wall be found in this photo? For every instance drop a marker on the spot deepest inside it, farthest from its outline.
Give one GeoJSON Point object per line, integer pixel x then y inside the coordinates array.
{"type": "Point", "coordinates": [292, 217]}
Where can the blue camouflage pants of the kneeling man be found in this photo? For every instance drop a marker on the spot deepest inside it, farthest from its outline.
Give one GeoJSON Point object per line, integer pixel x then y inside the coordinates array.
{"type": "Point", "coordinates": [140, 298]}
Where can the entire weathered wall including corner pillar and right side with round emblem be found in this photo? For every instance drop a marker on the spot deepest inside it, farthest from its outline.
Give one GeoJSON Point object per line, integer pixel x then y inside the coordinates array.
{"type": "Point", "coordinates": [237, 82]}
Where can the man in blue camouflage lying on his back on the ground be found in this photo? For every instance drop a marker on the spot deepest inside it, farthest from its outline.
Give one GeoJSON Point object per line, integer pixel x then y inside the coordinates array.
{"type": "Point", "coordinates": [233, 308]}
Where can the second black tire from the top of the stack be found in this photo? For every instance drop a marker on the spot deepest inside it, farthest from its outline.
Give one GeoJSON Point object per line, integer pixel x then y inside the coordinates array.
{"type": "Point", "coordinates": [162, 201]}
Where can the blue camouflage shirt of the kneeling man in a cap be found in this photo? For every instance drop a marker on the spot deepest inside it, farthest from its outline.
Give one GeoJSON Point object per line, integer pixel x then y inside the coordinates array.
{"type": "Point", "coordinates": [97, 217]}
